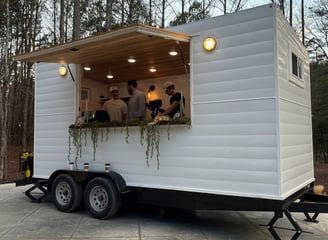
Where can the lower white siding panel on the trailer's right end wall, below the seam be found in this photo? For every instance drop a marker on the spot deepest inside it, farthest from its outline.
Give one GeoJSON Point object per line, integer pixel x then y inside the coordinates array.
{"type": "Point", "coordinates": [296, 152]}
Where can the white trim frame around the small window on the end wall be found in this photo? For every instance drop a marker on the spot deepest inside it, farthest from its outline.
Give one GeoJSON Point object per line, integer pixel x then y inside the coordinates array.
{"type": "Point", "coordinates": [292, 77]}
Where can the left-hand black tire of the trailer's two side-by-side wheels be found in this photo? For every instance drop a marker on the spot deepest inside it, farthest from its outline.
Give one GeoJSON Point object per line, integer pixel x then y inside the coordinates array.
{"type": "Point", "coordinates": [66, 193]}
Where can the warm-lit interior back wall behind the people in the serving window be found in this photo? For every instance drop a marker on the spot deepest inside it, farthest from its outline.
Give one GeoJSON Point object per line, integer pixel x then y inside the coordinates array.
{"type": "Point", "coordinates": [94, 94]}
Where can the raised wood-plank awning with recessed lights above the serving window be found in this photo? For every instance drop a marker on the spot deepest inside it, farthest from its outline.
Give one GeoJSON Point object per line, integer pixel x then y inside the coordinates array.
{"type": "Point", "coordinates": [110, 52]}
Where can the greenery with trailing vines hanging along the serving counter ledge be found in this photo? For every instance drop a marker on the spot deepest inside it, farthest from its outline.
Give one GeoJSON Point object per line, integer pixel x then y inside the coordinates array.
{"type": "Point", "coordinates": [149, 134]}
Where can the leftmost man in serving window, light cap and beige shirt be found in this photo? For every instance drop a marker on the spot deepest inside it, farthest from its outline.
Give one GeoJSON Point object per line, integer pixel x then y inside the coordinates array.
{"type": "Point", "coordinates": [116, 108]}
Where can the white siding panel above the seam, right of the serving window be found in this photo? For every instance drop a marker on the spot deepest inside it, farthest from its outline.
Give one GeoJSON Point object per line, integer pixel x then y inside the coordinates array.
{"type": "Point", "coordinates": [242, 65]}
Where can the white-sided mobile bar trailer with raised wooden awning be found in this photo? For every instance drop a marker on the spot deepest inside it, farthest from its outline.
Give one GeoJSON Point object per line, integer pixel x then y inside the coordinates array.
{"type": "Point", "coordinates": [248, 142]}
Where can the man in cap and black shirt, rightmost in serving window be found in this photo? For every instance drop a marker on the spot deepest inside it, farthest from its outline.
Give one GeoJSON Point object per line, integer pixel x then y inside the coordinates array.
{"type": "Point", "coordinates": [177, 101]}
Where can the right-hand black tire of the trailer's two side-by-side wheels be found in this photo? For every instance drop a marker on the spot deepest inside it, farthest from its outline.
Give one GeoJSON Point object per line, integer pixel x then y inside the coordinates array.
{"type": "Point", "coordinates": [101, 198]}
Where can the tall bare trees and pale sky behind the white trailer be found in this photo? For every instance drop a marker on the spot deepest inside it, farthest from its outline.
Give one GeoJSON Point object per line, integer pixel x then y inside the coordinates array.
{"type": "Point", "coordinates": [28, 25]}
